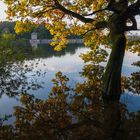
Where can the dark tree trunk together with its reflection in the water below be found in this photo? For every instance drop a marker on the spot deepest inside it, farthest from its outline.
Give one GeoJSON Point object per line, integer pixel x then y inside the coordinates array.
{"type": "Point", "coordinates": [112, 79]}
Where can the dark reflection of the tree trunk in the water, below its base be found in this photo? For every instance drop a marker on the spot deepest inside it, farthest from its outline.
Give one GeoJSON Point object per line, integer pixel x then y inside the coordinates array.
{"type": "Point", "coordinates": [112, 120]}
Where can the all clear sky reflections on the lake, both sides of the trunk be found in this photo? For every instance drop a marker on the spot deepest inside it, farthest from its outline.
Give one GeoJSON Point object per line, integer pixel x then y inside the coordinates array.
{"type": "Point", "coordinates": [70, 65]}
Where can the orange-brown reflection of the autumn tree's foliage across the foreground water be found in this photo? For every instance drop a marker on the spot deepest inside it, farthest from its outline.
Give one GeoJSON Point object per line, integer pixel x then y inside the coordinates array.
{"type": "Point", "coordinates": [78, 113]}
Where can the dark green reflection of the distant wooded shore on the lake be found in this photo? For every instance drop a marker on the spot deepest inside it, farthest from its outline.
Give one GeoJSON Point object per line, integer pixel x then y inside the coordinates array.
{"type": "Point", "coordinates": [42, 51]}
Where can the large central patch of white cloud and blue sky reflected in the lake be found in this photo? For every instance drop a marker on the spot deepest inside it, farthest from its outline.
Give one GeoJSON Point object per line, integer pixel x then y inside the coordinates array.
{"type": "Point", "coordinates": [69, 65]}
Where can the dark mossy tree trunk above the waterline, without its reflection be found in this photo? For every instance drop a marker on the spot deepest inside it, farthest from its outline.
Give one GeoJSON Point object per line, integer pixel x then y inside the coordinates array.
{"type": "Point", "coordinates": [112, 76]}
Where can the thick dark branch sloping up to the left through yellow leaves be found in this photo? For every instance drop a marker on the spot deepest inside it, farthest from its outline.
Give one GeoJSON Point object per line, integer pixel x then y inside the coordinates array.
{"type": "Point", "coordinates": [69, 12]}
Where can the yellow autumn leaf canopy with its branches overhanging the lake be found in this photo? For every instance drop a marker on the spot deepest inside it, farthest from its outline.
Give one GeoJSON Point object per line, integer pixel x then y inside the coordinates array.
{"type": "Point", "coordinates": [88, 18]}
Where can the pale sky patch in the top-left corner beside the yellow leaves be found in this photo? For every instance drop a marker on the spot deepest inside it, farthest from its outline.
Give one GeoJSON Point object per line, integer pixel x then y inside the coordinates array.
{"type": "Point", "coordinates": [2, 11]}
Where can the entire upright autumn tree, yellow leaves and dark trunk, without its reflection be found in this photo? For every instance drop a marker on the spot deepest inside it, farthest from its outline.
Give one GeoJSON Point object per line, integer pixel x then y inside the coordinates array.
{"type": "Point", "coordinates": [86, 18]}
